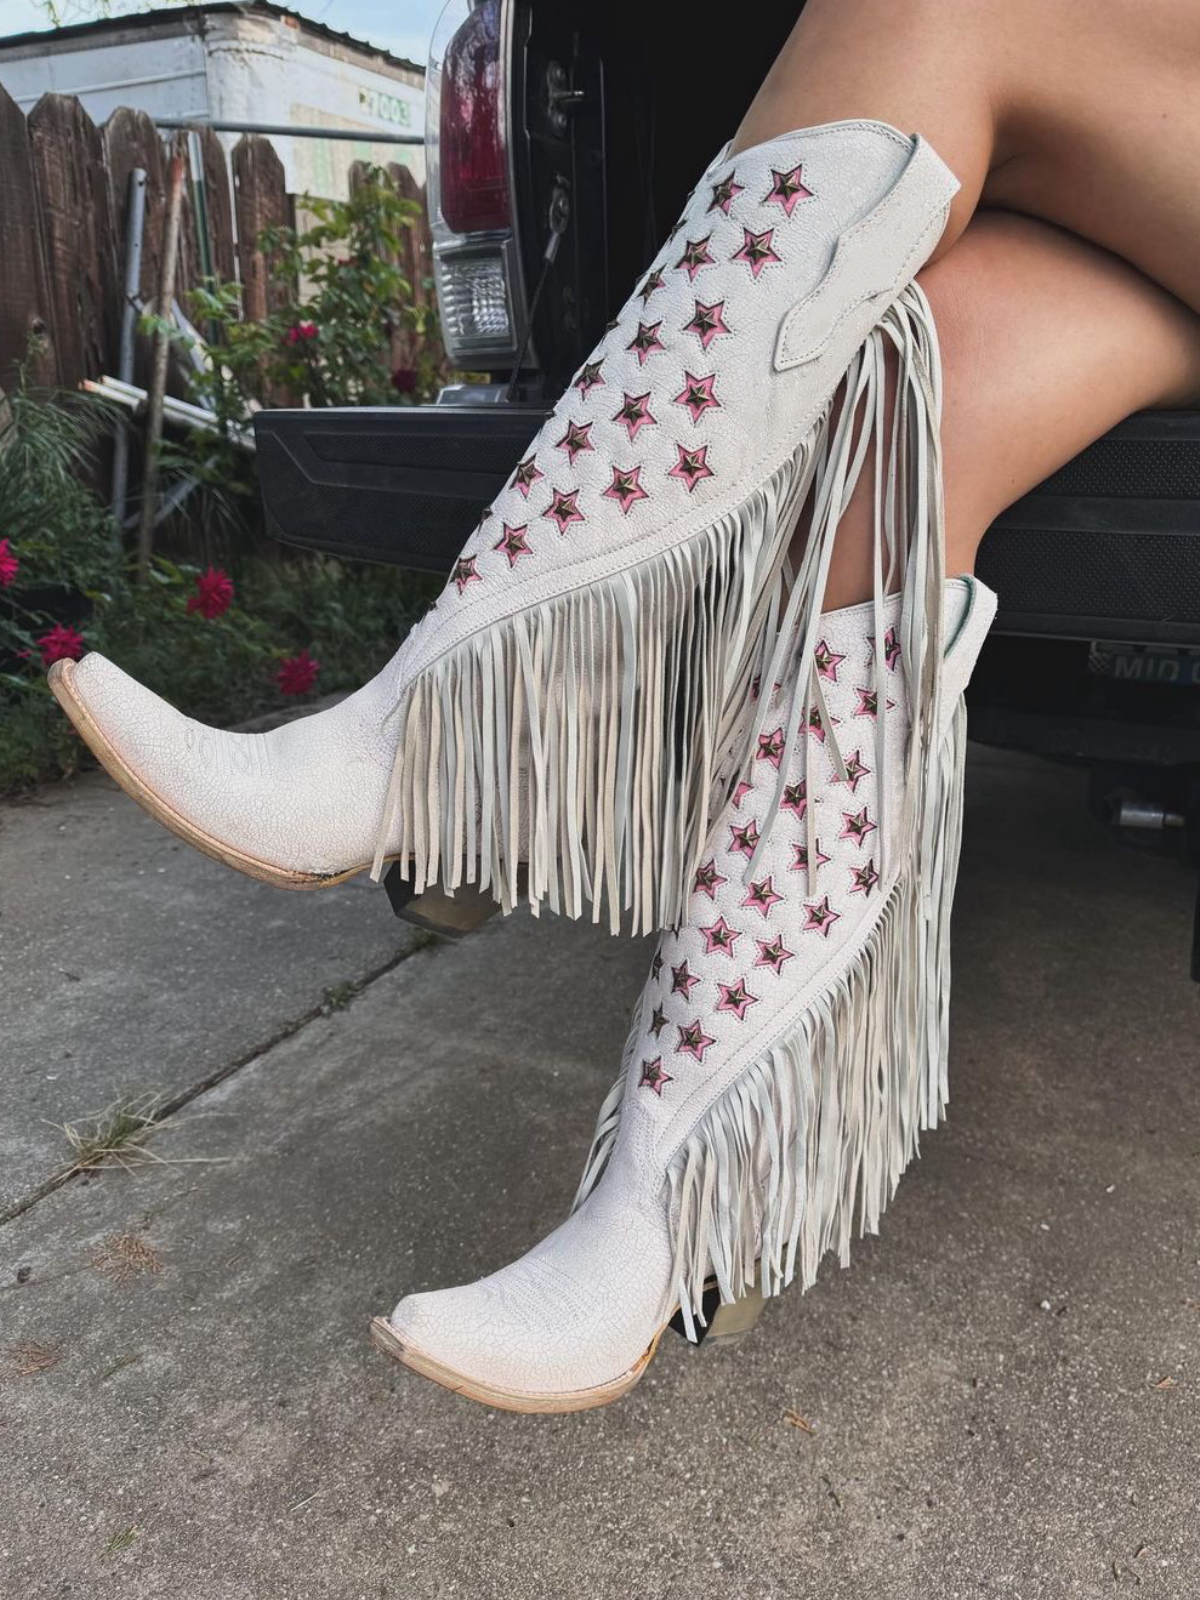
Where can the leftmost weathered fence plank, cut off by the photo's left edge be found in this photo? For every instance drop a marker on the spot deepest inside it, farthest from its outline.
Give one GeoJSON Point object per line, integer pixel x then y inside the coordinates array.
{"type": "Point", "coordinates": [25, 302]}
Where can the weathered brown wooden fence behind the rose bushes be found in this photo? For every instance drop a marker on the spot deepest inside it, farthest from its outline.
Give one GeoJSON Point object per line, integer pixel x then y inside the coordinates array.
{"type": "Point", "coordinates": [65, 194]}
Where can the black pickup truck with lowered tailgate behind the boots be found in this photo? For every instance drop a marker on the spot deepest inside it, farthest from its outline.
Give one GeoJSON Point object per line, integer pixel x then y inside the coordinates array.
{"type": "Point", "coordinates": [562, 140]}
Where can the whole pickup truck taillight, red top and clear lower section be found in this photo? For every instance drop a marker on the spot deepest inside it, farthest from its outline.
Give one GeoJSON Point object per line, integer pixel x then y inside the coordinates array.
{"type": "Point", "coordinates": [476, 258]}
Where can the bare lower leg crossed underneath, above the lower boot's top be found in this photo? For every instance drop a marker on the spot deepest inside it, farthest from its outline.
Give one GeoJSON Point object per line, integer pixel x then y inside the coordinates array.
{"type": "Point", "coordinates": [1047, 343]}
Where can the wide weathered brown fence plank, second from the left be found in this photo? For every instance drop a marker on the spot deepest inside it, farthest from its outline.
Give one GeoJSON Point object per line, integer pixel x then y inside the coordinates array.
{"type": "Point", "coordinates": [76, 206]}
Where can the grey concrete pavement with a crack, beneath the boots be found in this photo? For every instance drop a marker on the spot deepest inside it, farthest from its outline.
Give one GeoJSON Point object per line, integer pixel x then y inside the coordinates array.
{"type": "Point", "coordinates": [1002, 1394]}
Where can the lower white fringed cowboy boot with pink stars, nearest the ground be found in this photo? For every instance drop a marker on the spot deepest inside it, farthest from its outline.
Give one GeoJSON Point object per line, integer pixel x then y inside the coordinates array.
{"type": "Point", "coordinates": [785, 1055]}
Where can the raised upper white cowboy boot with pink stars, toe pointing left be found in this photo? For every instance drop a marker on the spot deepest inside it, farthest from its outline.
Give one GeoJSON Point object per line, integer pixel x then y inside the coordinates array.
{"type": "Point", "coordinates": [567, 697]}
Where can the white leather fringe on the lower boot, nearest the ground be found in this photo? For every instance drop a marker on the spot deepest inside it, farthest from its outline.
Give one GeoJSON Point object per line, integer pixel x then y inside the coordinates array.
{"type": "Point", "coordinates": [810, 1143]}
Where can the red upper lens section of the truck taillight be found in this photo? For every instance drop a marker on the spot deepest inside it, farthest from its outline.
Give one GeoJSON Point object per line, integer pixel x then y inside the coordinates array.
{"type": "Point", "coordinates": [471, 126]}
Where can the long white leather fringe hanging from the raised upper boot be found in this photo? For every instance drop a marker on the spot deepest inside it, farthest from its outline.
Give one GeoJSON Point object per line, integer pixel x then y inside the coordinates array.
{"type": "Point", "coordinates": [596, 737]}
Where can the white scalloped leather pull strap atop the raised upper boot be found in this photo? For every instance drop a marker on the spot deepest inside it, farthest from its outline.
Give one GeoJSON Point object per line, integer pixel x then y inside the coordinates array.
{"type": "Point", "coordinates": [873, 260]}
